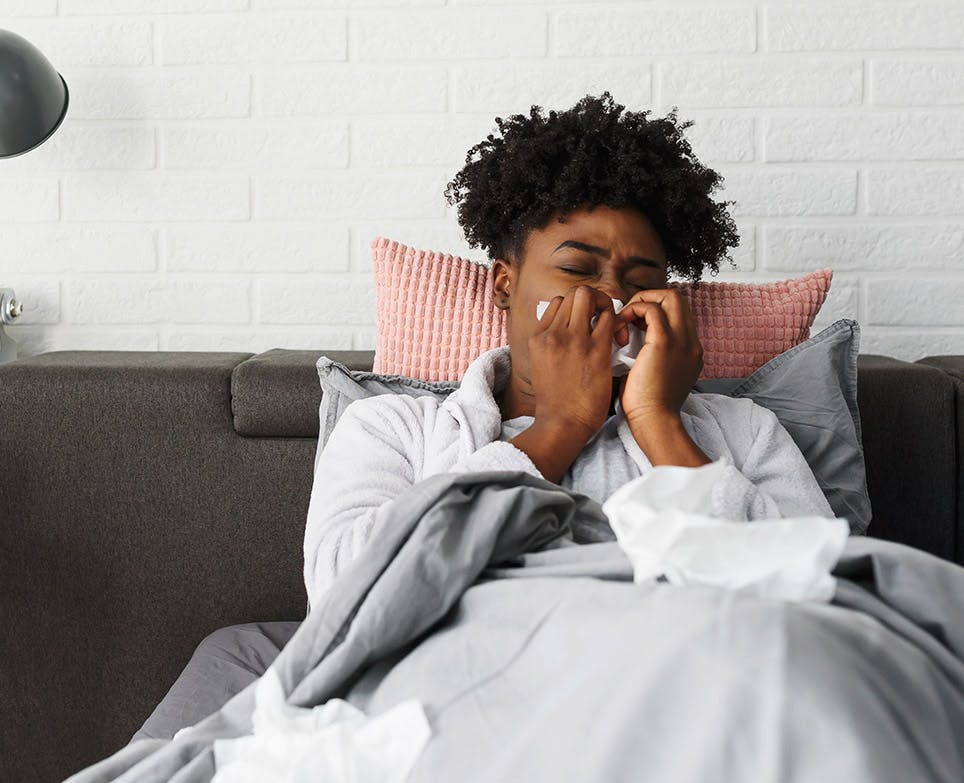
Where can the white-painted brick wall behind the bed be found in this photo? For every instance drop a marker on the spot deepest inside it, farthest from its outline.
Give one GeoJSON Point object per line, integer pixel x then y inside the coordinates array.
{"type": "Point", "coordinates": [225, 163]}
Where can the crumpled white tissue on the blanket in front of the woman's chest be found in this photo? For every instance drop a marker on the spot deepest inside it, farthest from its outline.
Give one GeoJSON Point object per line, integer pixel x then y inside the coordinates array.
{"type": "Point", "coordinates": [660, 523]}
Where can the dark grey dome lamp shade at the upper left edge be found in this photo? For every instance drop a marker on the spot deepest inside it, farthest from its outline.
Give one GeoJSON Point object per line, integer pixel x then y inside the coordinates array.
{"type": "Point", "coordinates": [33, 96]}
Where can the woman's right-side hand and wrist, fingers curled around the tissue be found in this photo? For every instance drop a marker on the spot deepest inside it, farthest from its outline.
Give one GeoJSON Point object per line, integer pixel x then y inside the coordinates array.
{"type": "Point", "coordinates": [671, 358]}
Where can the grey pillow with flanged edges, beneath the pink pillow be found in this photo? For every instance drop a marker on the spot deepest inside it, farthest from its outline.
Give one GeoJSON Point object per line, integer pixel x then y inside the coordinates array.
{"type": "Point", "coordinates": [812, 389]}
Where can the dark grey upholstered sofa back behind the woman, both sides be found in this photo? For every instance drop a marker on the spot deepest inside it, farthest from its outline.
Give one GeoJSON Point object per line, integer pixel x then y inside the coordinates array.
{"type": "Point", "coordinates": [147, 499]}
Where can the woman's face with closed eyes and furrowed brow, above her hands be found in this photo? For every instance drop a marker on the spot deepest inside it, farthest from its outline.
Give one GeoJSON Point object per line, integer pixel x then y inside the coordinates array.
{"type": "Point", "coordinates": [614, 250]}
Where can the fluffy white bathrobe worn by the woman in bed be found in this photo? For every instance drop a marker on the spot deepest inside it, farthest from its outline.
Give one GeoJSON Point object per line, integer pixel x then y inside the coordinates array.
{"type": "Point", "coordinates": [383, 445]}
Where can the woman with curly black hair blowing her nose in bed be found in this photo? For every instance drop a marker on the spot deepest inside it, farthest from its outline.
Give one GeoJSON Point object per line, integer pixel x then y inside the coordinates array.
{"type": "Point", "coordinates": [577, 208]}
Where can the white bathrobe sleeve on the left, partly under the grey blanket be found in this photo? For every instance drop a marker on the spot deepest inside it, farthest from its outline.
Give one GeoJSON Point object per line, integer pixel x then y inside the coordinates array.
{"type": "Point", "coordinates": [376, 452]}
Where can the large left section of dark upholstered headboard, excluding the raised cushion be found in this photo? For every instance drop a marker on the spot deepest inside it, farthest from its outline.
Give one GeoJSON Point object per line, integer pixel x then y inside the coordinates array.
{"type": "Point", "coordinates": [134, 521]}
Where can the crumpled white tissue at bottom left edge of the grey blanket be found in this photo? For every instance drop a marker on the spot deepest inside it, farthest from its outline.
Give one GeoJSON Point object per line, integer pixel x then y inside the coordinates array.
{"type": "Point", "coordinates": [331, 742]}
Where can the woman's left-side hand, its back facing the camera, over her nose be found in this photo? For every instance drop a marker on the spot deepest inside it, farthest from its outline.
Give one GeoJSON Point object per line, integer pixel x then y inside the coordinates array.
{"type": "Point", "coordinates": [569, 363]}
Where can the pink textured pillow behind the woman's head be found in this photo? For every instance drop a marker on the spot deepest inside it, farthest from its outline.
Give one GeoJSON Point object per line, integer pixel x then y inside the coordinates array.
{"type": "Point", "coordinates": [435, 315]}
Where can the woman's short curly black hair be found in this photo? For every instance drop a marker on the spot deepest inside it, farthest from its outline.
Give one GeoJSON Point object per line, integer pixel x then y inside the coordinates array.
{"type": "Point", "coordinates": [592, 154]}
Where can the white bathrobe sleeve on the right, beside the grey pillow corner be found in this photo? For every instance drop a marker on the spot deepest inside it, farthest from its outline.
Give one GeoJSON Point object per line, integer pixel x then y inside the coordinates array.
{"type": "Point", "coordinates": [766, 476]}
